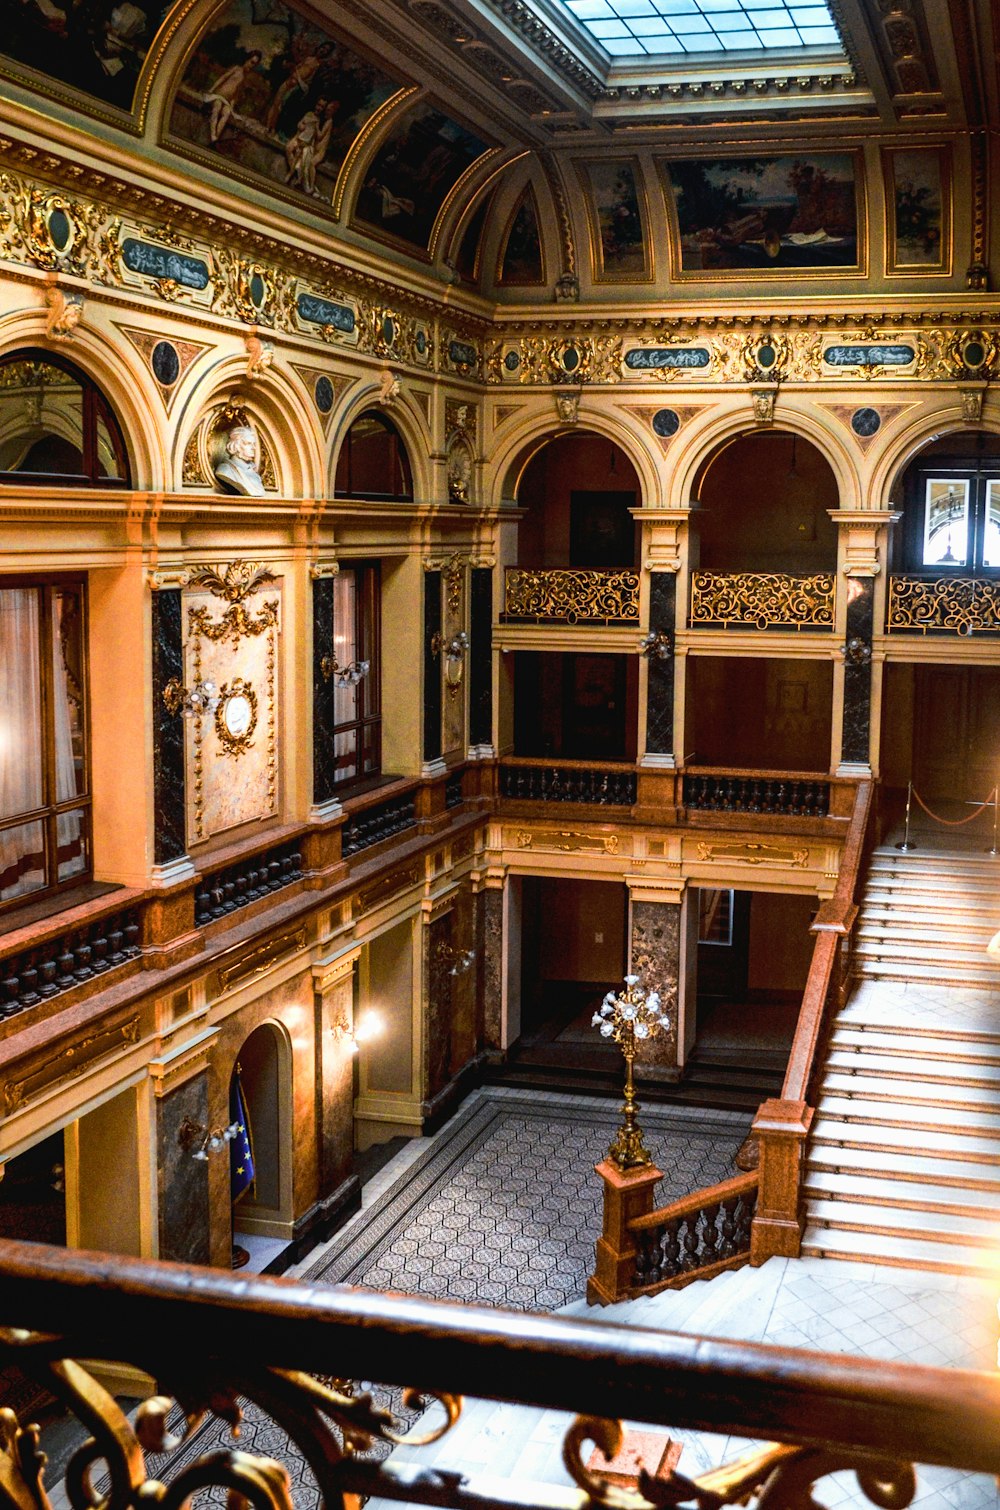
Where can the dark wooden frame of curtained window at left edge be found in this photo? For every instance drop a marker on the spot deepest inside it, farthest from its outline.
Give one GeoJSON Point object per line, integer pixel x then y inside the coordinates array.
{"type": "Point", "coordinates": [49, 813]}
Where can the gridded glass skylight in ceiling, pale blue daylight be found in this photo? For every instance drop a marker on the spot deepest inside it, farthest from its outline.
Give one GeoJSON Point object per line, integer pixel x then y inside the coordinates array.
{"type": "Point", "coordinates": [656, 28]}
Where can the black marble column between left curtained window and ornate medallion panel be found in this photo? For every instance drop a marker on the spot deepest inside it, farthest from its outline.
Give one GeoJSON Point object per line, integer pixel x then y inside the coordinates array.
{"type": "Point", "coordinates": [168, 730]}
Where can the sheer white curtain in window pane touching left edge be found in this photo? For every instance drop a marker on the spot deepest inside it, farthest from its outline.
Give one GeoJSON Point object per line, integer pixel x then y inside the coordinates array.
{"type": "Point", "coordinates": [22, 848]}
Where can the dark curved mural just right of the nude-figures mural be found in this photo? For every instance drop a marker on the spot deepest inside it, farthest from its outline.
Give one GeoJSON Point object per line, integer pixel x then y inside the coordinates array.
{"type": "Point", "coordinates": [413, 174]}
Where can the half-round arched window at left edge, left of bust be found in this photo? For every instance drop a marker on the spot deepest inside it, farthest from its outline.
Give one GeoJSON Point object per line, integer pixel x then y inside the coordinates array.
{"type": "Point", "coordinates": [57, 428]}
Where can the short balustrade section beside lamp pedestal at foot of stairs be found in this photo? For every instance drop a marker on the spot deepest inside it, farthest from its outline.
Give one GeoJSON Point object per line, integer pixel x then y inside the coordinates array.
{"type": "Point", "coordinates": [696, 1237]}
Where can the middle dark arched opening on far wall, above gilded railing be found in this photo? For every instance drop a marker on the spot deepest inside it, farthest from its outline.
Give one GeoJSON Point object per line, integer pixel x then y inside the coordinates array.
{"type": "Point", "coordinates": [764, 507]}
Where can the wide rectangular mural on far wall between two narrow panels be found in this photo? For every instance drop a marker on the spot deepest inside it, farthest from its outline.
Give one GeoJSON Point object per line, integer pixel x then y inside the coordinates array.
{"type": "Point", "coordinates": [767, 212]}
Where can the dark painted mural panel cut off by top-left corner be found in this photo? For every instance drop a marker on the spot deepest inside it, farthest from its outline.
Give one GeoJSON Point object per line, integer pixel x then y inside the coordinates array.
{"type": "Point", "coordinates": [94, 46]}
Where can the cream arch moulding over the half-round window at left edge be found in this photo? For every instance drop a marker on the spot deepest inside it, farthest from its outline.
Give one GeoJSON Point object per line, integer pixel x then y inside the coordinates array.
{"type": "Point", "coordinates": [125, 384]}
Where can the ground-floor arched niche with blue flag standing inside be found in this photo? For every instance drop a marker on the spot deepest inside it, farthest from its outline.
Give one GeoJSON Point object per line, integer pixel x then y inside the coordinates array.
{"type": "Point", "coordinates": [261, 1180]}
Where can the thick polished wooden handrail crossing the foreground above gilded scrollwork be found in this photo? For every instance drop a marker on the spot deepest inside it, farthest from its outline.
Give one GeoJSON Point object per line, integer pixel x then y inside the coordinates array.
{"type": "Point", "coordinates": [173, 1319]}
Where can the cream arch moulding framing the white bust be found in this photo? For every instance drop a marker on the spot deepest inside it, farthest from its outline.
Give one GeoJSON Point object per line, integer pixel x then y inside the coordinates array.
{"type": "Point", "coordinates": [276, 401]}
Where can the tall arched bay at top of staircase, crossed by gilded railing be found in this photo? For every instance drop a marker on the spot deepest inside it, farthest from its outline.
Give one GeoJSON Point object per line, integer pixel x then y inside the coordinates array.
{"type": "Point", "coordinates": [942, 713]}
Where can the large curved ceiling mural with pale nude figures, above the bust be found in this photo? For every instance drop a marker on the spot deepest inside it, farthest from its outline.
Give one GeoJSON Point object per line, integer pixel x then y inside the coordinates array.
{"type": "Point", "coordinates": [277, 96]}
